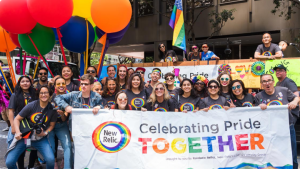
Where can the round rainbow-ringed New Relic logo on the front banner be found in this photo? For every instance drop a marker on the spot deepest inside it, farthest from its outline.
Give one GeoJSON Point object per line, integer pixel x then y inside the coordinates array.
{"type": "Point", "coordinates": [111, 137]}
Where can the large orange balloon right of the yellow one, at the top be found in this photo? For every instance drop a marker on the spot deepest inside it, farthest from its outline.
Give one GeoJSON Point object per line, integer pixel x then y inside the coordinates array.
{"type": "Point", "coordinates": [111, 15]}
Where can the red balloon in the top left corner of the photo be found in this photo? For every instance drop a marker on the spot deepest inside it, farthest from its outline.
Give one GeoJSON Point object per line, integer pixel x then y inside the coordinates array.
{"type": "Point", "coordinates": [15, 17]}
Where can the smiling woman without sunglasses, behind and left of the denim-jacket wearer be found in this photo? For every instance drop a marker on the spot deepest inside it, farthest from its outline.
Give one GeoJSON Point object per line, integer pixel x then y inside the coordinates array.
{"type": "Point", "coordinates": [67, 74]}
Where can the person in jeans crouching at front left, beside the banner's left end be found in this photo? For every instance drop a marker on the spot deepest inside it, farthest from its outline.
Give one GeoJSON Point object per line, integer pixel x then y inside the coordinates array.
{"type": "Point", "coordinates": [40, 118]}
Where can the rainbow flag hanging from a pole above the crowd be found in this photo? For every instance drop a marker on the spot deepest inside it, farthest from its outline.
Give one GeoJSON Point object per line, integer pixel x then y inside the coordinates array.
{"type": "Point", "coordinates": [177, 24]}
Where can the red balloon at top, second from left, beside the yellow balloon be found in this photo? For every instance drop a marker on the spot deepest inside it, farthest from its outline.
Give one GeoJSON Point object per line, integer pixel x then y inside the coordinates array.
{"type": "Point", "coordinates": [51, 13]}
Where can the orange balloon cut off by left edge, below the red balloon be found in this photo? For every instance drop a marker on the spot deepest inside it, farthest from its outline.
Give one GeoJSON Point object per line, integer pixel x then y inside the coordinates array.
{"type": "Point", "coordinates": [6, 43]}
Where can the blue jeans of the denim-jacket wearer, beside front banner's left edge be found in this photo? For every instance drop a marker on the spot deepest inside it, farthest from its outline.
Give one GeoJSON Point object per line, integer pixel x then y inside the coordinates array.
{"type": "Point", "coordinates": [62, 132]}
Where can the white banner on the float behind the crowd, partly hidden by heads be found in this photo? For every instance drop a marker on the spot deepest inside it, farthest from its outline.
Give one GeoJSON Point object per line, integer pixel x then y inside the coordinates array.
{"type": "Point", "coordinates": [209, 71]}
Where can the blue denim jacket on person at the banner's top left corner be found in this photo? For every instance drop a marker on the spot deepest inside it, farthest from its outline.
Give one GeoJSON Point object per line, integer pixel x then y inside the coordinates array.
{"type": "Point", "coordinates": [74, 99]}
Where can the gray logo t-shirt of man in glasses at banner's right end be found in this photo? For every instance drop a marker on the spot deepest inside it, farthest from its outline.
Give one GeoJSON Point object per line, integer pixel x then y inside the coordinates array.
{"type": "Point", "coordinates": [281, 96]}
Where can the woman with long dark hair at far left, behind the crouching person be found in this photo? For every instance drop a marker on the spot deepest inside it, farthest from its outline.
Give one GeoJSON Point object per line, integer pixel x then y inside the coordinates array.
{"type": "Point", "coordinates": [24, 94]}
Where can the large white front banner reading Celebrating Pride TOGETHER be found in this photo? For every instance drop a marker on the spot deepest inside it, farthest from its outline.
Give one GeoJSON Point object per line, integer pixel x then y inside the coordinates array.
{"type": "Point", "coordinates": [237, 138]}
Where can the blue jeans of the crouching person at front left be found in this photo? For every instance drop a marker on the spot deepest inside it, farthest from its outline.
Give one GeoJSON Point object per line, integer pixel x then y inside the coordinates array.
{"type": "Point", "coordinates": [42, 146]}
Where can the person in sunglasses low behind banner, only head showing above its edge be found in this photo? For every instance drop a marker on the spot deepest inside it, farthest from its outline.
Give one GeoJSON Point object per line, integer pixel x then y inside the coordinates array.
{"type": "Point", "coordinates": [121, 101]}
